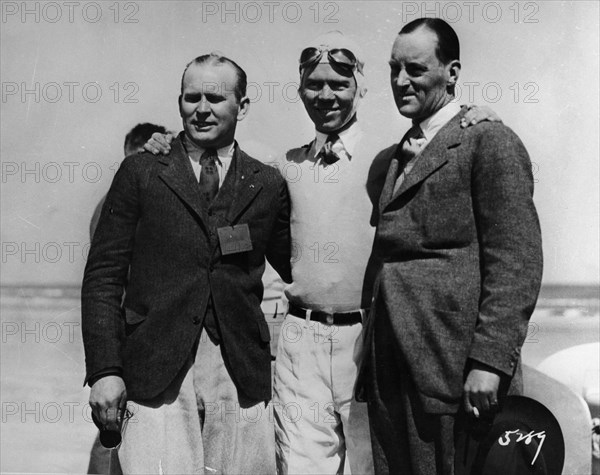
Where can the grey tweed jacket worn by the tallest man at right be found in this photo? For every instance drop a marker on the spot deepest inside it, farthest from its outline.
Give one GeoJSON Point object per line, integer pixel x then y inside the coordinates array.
{"type": "Point", "coordinates": [460, 257]}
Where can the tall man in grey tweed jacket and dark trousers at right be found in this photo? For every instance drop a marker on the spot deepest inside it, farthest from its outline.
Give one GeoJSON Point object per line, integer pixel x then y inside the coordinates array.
{"type": "Point", "coordinates": [460, 253]}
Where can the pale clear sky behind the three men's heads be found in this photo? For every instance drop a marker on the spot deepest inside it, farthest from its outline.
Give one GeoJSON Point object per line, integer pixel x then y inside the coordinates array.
{"type": "Point", "coordinates": [76, 76]}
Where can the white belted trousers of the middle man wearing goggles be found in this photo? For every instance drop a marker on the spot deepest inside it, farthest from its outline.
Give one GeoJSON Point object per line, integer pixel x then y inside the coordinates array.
{"type": "Point", "coordinates": [320, 428]}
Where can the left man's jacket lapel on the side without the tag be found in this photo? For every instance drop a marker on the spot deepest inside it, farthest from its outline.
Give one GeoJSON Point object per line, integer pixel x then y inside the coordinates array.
{"type": "Point", "coordinates": [179, 177]}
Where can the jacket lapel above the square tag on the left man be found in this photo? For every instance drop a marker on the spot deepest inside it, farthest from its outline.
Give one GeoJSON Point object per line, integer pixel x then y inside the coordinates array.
{"type": "Point", "coordinates": [240, 187]}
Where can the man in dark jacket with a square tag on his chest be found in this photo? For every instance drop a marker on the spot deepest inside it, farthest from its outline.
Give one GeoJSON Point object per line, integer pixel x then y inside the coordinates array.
{"type": "Point", "coordinates": [184, 238]}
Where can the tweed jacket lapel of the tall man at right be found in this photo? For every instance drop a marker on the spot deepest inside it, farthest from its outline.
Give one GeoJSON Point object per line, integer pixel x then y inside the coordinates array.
{"type": "Point", "coordinates": [434, 156]}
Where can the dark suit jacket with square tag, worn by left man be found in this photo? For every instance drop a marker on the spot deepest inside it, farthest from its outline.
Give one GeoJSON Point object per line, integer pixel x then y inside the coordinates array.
{"type": "Point", "coordinates": [156, 226]}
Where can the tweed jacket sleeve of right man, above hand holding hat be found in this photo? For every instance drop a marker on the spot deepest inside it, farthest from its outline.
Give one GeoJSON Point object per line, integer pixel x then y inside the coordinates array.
{"type": "Point", "coordinates": [510, 248]}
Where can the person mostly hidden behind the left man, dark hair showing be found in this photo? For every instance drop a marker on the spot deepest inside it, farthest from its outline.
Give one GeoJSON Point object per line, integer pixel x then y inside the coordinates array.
{"type": "Point", "coordinates": [101, 460]}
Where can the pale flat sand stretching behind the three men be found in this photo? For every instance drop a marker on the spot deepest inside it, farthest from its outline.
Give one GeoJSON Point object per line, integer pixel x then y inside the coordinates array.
{"type": "Point", "coordinates": [46, 425]}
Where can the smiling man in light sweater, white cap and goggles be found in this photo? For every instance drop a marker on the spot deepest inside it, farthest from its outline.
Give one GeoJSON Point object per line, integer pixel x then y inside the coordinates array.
{"type": "Point", "coordinates": [334, 184]}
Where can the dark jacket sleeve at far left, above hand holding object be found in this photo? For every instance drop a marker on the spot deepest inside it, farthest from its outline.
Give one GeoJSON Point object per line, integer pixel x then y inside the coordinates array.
{"type": "Point", "coordinates": [105, 276]}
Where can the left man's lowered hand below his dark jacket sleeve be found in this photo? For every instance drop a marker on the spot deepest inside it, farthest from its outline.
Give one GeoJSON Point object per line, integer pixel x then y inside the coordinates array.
{"type": "Point", "coordinates": [108, 400]}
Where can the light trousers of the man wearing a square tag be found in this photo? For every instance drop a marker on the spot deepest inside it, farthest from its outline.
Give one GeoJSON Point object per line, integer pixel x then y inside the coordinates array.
{"type": "Point", "coordinates": [199, 425]}
